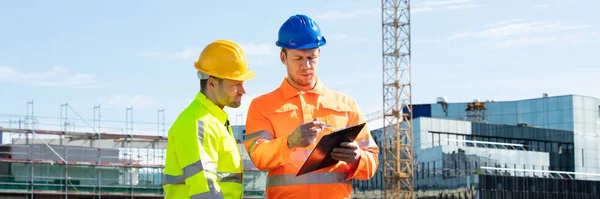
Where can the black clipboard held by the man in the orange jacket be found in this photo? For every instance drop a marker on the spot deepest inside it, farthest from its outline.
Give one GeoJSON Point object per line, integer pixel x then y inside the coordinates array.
{"type": "Point", "coordinates": [320, 156]}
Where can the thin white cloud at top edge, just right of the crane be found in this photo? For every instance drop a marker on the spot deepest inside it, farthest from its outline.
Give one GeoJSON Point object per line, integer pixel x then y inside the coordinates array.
{"type": "Point", "coordinates": [429, 6]}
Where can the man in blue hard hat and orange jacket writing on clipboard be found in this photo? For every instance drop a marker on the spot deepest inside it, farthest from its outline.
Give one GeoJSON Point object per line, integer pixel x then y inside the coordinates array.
{"type": "Point", "coordinates": [283, 126]}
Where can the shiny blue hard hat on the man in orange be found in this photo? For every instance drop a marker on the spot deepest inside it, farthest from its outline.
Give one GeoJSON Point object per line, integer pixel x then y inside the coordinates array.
{"type": "Point", "coordinates": [300, 32]}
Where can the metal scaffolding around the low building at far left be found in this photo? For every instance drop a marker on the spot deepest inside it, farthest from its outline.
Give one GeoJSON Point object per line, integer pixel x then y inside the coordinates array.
{"type": "Point", "coordinates": [38, 157]}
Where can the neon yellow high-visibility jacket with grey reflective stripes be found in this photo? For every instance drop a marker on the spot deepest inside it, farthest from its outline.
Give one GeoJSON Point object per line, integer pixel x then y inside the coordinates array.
{"type": "Point", "coordinates": [202, 158]}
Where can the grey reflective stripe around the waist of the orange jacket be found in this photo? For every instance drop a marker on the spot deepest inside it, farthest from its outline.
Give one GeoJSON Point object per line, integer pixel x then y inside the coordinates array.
{"type": "Point", "coordinates": [309, 178]}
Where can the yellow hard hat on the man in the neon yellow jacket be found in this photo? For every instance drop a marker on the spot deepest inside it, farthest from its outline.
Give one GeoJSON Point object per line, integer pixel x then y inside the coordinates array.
{"type": "Point", "coordinates": [224, 59]}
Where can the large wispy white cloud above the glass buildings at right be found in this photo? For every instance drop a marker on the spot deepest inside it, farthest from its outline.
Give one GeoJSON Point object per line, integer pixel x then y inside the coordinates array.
{"type": "Point", "coordinates": [517, 32]}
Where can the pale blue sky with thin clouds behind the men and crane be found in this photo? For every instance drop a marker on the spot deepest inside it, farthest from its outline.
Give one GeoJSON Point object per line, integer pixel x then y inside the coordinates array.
{"type": "Point", "coordinates": [140, 54]}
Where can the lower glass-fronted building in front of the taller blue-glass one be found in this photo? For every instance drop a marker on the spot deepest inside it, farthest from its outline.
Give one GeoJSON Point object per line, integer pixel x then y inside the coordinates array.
{"type": "Point", "coordinates": [456, 158]}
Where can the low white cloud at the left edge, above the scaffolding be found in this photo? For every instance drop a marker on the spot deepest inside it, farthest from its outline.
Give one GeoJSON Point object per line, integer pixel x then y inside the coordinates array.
{"type": "Point", "coordinates": [57, 76]}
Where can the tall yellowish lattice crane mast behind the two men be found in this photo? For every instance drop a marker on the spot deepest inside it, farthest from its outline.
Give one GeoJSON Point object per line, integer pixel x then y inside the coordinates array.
{"type": "Point", "coordinates": [398, 149]}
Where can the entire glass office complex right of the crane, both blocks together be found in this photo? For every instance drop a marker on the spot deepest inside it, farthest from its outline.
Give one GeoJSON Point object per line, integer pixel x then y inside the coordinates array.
{"type": "Point", "coordinates": [542, 148]}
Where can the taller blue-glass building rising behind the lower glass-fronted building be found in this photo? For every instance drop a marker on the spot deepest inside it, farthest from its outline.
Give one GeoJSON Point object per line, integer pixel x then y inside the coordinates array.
{"type": "Point", "coordinates": [577, 114]}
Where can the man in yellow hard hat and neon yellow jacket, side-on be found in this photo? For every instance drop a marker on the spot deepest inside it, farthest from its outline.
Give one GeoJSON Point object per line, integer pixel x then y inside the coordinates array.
{"type": "Point", "coordinates": [203, 159]}
